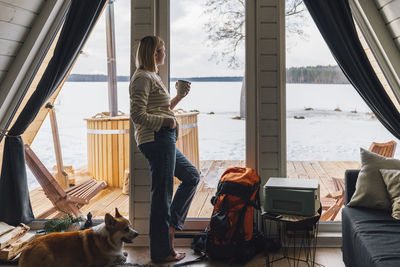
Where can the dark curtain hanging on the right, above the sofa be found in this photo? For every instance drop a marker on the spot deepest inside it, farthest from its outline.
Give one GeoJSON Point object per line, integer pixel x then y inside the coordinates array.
{"type": "Point", "coordinates": [335, 22]}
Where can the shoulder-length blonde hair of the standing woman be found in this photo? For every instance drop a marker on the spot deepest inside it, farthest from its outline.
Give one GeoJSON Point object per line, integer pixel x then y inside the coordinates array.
{"type": "Point", "coordinates": [145, 54]}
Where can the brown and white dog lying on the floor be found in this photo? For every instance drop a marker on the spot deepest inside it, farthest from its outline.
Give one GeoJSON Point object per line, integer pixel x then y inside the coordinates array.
{"type": "Point", "coordinates": [98, 246]}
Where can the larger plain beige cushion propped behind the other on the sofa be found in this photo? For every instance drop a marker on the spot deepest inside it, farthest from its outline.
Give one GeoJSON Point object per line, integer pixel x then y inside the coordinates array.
{"type": "Point", "coordinates": [370, 189]}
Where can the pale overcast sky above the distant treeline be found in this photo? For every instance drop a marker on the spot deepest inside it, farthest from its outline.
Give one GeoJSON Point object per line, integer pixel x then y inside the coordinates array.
{"type": "Point", "coordinates": [190, 54]}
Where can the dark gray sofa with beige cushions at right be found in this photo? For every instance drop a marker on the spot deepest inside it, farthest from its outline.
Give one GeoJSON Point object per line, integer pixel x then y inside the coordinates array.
{"type": "Point", "coordinates": [370, 237]}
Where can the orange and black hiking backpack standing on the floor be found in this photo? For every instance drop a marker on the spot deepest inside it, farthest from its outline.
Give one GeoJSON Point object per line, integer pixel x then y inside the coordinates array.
{"type": "Point", "coordinates": [230, 233]}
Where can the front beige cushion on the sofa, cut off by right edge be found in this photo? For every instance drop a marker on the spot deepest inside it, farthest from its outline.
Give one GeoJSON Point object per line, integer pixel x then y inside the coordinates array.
{"type": "Point", "coordinates": [392, 182]}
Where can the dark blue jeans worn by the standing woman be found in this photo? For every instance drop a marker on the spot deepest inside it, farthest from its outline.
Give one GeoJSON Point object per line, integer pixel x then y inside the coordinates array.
{"type": "Point", "coordinates": [165, 162]}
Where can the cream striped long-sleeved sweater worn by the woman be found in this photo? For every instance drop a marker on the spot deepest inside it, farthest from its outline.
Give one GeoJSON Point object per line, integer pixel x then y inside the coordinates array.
{"type": "Point", "coordinates": [150, 104]}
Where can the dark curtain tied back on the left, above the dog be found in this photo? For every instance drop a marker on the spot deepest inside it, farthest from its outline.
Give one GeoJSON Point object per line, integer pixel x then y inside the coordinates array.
{"type": "Point", "coordinates": [15, 206]}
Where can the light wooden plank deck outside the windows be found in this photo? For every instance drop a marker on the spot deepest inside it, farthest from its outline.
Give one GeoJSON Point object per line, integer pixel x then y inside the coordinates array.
{"type": "Point", "coordinates": [211, 170]}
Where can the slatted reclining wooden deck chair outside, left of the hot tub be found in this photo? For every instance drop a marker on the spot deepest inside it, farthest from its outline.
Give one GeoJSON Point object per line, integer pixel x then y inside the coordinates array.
{"type": "Point", "coordinates": [69, 200]}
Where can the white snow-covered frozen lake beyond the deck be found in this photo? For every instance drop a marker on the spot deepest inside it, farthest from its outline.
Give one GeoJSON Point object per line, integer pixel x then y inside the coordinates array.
{"type": "Point", "coordinates": [323, 134]}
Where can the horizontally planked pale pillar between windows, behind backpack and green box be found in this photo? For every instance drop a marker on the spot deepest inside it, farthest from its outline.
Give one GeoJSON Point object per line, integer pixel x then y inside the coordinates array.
{"type": "Point", "coordinates": [270, 39]}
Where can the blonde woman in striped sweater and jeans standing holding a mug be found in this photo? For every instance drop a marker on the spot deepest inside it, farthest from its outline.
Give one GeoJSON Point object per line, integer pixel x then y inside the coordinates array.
{"type": "Point", "coordinates": [156, 134]}
